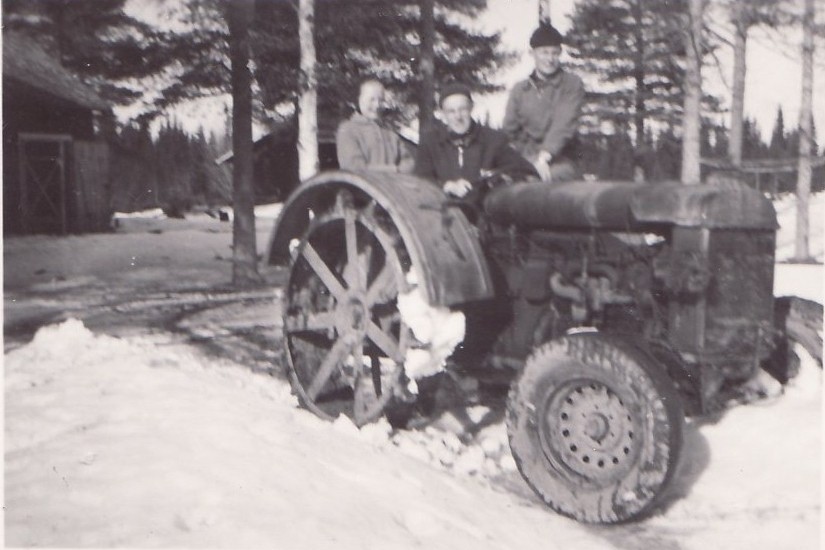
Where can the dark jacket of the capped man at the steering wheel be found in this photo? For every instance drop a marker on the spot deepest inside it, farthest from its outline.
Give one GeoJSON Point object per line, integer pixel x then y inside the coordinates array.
{"type": "Point", "coordinates": [443, 156]}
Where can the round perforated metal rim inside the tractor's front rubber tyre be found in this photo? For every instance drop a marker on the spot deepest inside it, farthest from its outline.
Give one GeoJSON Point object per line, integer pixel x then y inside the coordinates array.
{"type": "Point", "coordinates": [589, 430]}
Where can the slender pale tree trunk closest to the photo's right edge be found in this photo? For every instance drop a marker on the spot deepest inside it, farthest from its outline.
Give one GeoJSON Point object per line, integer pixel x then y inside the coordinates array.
{"type": "Point", "coordinates": [803, 183]}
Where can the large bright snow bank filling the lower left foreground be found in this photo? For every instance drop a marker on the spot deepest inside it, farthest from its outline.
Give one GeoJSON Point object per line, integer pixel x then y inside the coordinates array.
{"type": "Point", "coordinates": [129, 443]}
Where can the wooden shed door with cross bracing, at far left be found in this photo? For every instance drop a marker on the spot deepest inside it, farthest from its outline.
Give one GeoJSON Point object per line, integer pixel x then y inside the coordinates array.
{"type": "Point", "coordinates": [44, 176]}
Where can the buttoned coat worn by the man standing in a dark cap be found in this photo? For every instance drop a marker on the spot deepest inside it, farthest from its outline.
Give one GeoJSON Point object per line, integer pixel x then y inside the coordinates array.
{"type": "Point", "coordinates": [543, 115]}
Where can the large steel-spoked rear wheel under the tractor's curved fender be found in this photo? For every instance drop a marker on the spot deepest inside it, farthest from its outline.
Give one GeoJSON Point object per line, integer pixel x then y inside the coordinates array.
{"type": "Point", "coordinates": [345, 338]}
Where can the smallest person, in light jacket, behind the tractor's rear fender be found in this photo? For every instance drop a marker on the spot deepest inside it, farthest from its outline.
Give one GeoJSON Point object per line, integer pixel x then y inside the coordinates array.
{"type": "Point", "coordinates": [365, 142]}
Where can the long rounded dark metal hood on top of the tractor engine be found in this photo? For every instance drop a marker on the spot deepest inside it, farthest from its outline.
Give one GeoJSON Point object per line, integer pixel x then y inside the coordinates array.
{"type": "Point", "coordinates": [627, 206]}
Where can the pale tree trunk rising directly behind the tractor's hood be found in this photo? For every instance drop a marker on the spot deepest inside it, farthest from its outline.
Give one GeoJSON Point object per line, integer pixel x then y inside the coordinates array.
{"type": "Point", "coordinates": [692, 116]}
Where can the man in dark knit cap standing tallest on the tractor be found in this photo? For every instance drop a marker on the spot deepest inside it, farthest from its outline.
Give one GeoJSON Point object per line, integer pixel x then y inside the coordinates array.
{"type": "Point", "coordinates": [543, 111]}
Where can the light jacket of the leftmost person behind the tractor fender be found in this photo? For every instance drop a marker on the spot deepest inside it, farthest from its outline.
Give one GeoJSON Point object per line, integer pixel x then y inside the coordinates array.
{"type": "Point", "coordinates": [364, 144]}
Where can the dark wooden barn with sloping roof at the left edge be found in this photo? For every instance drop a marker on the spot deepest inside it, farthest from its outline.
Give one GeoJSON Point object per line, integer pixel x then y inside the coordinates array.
{"type": "Point", "coordinates": [55, 167]}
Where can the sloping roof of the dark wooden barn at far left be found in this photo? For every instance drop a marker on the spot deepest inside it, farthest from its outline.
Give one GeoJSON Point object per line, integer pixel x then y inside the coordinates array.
{"type": "Point", "coordinates": [25, 61]}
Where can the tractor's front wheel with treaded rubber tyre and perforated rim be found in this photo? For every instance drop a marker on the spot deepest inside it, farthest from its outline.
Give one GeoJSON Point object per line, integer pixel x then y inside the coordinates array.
{"type": "Point", "coordinates": [595, 428]}
